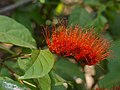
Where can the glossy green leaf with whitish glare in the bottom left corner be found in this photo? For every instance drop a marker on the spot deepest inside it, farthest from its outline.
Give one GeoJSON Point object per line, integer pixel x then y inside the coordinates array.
{"type": "Point", "coordinates": [8, 84]}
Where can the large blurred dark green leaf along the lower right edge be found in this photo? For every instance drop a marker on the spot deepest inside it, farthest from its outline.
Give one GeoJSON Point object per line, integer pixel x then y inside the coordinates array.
{"type": "Point", "coordinates": [113, 77]}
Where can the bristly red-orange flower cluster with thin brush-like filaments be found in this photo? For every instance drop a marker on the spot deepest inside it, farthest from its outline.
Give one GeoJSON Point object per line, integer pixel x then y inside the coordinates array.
{"type": "Point", "coordinates": [84, 46]}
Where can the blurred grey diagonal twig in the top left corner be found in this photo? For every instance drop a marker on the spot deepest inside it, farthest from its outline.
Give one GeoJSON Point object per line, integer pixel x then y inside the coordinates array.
{"type": "Point", "coordinates": [14, 6]}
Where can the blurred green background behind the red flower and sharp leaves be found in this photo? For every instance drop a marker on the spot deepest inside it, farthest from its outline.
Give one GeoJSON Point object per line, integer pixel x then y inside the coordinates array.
{"type": "Point", "coordinates": [102, 15]}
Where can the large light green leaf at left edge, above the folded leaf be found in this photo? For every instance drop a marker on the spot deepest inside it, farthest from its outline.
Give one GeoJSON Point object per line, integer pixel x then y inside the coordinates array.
{"type": "Point", "coordinates": [15, 33]}
